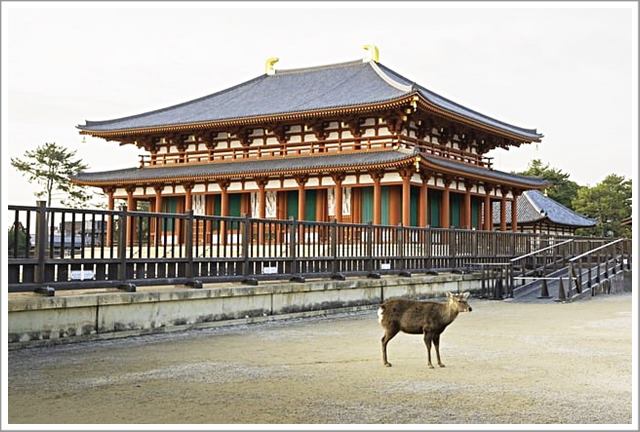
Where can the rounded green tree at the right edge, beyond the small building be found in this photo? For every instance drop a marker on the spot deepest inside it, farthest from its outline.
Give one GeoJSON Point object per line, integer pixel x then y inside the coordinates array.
{"type": "Point", "coordinates": [608, 202]}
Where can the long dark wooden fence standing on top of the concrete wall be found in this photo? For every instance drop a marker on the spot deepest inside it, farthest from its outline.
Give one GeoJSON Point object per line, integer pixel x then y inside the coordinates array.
{"type": "Point", "coordinates": [75, 248]}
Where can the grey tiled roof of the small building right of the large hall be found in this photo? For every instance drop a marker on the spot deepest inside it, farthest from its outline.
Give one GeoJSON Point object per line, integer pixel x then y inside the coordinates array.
{"type": "Point", "coordinates": [534, 206]}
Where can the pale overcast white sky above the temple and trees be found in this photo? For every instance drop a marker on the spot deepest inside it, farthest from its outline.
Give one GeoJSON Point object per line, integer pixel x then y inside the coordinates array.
{"type": "Point", "coordinates": [566, 72]}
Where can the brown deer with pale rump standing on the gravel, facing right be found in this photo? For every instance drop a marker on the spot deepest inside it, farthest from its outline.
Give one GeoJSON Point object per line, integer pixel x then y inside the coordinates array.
{"type": "Point", "coordinates": [417, 317]}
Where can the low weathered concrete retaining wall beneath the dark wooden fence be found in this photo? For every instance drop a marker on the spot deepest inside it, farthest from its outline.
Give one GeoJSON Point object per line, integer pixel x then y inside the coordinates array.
{"type": "Point", "coordinates": [35, 320]}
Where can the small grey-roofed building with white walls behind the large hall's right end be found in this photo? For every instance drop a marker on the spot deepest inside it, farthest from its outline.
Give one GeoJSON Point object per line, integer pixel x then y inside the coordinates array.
{"type": "Point", "coordinates": [538, 213]}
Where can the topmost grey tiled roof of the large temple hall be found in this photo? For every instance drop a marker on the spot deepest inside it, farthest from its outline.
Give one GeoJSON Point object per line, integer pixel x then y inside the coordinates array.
{"type": "Point", "coordinates": [342, 85]}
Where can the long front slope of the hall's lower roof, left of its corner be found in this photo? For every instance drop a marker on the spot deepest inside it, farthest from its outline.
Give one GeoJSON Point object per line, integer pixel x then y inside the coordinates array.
{"type": "Point", "coordinates": [242, 168]}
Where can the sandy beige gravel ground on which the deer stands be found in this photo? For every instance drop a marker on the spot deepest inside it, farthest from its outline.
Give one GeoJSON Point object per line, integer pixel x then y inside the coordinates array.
{"type": "Point", "coordinates": [505, 363]}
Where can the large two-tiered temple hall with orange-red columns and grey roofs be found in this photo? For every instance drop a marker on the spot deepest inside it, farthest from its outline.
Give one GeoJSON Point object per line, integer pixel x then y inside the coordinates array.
{"type": "Point", "coordinates": [353, 141]}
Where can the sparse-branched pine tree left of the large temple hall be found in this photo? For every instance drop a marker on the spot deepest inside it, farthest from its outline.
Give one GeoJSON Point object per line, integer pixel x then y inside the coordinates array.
{"type": "Point", "coordinates": [52, 166]}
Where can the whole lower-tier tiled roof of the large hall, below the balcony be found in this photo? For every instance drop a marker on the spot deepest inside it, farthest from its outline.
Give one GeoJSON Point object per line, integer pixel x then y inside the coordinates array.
{"type": "Point", "coordinates": [298, 165]}
